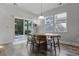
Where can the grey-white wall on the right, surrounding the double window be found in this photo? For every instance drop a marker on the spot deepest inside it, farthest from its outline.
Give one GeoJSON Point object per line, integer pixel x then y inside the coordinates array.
{"type": "Point", "coordinates": [72, 34]}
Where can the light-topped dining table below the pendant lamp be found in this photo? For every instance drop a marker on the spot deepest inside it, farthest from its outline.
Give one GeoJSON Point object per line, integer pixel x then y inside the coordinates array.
{"type": "Point", "coordinates": [54, 37]}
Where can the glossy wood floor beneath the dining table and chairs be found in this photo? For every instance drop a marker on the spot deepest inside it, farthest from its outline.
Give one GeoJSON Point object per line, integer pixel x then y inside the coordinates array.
{"type": "Point", "coordinates": [22, 50]}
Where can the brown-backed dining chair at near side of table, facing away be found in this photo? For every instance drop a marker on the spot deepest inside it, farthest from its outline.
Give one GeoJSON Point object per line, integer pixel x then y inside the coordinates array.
{"type": "Point", "coordinates": [39, 42]}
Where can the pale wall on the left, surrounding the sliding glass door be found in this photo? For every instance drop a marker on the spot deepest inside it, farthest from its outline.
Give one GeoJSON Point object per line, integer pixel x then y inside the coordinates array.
{"type": "Point", "coordinates": [7, 27]}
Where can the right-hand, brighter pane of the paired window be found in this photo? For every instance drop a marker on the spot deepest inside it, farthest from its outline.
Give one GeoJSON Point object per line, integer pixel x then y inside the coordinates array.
{"type": "Point", "coordinates": [61, 22]}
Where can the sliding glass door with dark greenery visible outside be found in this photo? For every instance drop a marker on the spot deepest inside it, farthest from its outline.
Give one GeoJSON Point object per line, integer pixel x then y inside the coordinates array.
{"type": "Point", "coordinates": [23, 27]}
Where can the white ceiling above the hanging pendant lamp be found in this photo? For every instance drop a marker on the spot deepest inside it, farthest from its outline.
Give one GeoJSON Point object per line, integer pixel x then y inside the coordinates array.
{"type": "Point", "coordinates": [35, 8]}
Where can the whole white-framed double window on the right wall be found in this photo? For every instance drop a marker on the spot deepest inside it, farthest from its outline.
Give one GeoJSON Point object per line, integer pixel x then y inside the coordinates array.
{"type": "Point", "coordinates": [56, 23]}
